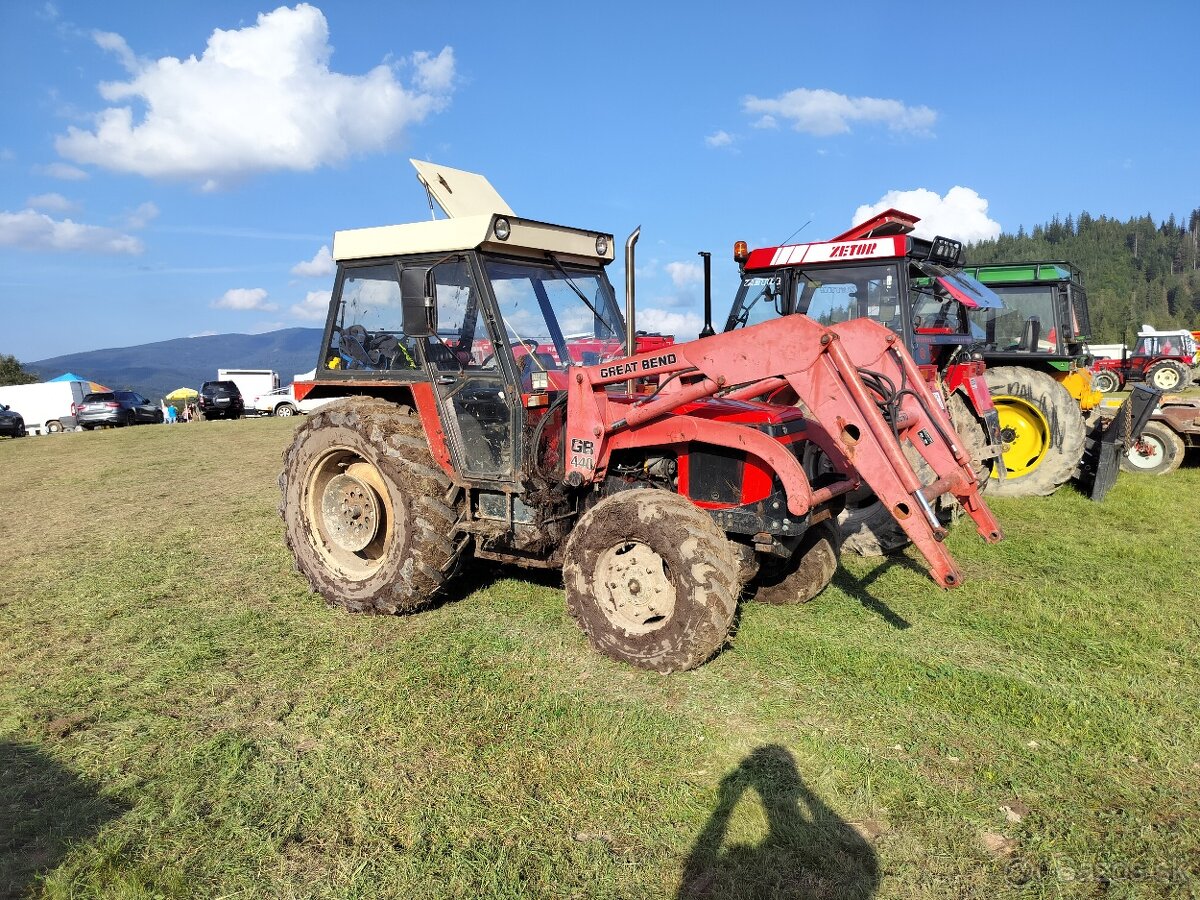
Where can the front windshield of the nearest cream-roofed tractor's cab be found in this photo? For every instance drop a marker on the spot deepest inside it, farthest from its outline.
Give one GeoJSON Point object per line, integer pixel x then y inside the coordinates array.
{"type": "Point", "coordinates": [556, 316]}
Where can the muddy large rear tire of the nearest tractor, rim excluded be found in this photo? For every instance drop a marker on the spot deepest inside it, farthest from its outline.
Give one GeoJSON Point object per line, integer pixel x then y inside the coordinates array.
{"type": "Point", "coordinates": [392, 439]}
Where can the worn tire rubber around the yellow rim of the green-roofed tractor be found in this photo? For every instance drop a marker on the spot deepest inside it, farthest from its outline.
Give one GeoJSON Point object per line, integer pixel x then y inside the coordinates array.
{"type": "Point", "coordinates": [1067, 431]}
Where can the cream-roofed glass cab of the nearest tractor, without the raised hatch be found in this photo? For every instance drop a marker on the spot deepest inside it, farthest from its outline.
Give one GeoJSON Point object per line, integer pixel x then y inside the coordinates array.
{"type": "Point", "coordinates": [489, 322]}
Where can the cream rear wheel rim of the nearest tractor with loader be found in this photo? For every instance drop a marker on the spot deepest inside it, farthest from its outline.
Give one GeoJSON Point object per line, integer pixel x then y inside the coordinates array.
{"type": "Point", "coordinates": [350, 514]}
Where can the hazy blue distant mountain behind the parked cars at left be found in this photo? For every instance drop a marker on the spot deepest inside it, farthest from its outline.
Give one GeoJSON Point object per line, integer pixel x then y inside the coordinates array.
{"type": "Point", "coordinates": [158, 369]}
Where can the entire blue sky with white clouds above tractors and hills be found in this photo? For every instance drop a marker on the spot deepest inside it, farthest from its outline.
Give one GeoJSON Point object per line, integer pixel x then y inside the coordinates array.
{"type": "Point", "coordinates": [176, 170]}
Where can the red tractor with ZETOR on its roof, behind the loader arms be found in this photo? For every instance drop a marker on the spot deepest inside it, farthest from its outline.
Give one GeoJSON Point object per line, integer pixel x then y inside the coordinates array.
{"type": "Point", "coordinates": [880, 272]}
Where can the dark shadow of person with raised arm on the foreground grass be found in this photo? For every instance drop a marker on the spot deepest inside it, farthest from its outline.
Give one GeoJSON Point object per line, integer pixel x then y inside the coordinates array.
{"type": "Point", "coordinates": [808, 853]}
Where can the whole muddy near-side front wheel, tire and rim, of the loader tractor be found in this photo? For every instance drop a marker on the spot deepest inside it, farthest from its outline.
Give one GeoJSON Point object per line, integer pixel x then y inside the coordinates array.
{"type": "Point", "coordinates": [693, 563]}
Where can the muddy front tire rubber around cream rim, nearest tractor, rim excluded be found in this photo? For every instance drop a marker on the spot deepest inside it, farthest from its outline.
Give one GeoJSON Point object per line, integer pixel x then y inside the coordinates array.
{"type": "Point", "coordinates": [705, 572]}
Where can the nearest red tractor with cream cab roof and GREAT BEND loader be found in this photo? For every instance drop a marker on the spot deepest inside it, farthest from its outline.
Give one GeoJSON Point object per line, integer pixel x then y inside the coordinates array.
{"type": "Point", "coordinates": [655, 482]}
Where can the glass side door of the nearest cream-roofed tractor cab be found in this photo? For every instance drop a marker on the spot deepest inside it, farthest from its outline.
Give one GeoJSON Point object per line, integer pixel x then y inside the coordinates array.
{"type": "Point", "coordinates": [478, 406]}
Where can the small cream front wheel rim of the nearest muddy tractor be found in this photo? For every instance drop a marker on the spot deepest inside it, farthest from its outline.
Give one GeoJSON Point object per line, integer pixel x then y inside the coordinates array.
{"type": "Point", "coordinates": [634, 589]}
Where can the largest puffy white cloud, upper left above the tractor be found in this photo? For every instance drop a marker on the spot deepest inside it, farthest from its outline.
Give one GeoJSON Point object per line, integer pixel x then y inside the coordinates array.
{"type": "Point", "coordinates": [259, 99]}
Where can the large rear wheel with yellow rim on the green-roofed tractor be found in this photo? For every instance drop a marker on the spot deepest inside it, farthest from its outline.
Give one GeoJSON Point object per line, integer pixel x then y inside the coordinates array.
{"type": "Point", "coordinates": [1027, 393]}
